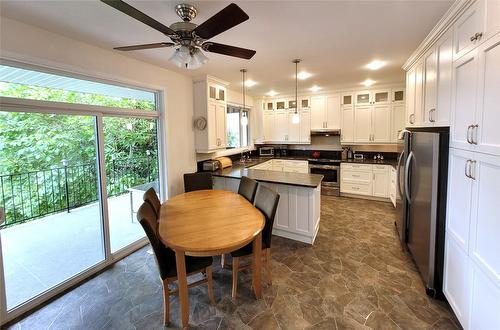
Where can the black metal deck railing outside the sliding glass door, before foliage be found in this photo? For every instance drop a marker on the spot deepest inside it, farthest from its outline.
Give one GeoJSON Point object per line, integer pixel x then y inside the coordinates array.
{"type": "Point", "coordinates": [29, 195]}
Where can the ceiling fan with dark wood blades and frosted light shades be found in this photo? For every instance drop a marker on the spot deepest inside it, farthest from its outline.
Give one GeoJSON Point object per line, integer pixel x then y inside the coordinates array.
{"type": "Point", "coordinates": [190, 38]}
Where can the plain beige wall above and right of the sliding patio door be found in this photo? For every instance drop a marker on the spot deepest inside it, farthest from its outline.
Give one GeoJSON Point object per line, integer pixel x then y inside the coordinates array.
{"type": "Point", "coordinates": [25, 43]}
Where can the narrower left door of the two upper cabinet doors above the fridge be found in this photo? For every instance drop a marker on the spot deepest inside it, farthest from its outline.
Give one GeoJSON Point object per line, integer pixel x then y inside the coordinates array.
{"type": "Point", "coordinates": [430, 89]}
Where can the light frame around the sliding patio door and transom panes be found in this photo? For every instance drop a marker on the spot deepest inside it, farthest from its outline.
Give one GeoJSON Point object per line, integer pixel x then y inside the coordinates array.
{"type": "Point", "coordinates": [10, 104]}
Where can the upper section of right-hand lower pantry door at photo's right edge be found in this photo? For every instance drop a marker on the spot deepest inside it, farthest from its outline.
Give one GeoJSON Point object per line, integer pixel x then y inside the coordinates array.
{"type": "Point", "coordinates": [484, 245]}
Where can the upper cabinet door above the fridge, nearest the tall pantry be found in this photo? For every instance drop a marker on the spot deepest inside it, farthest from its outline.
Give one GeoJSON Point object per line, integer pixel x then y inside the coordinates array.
{"type": "Point", "coordinates": [444, 50]}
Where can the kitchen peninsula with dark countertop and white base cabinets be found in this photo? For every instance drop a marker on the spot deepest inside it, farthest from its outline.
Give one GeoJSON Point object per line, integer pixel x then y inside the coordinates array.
{"type": "Point", "coordinates": [298, 214]}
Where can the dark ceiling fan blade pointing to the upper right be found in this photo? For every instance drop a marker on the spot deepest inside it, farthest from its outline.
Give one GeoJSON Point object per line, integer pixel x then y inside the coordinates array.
{"type": "Point", "coordinates": [227, 18]}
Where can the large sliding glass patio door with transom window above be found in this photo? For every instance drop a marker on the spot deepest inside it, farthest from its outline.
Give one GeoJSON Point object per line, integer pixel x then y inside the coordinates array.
{"type": "Point", "coordinates": [76, 156]}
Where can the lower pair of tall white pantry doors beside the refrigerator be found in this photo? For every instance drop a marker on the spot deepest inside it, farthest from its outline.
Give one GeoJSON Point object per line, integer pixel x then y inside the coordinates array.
{"type": "Point", "coordinates": [472, 265]}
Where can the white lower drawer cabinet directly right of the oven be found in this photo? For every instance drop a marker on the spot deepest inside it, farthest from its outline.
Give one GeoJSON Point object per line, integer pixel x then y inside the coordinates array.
{"type": "Point", "coordinates": [365, 179]}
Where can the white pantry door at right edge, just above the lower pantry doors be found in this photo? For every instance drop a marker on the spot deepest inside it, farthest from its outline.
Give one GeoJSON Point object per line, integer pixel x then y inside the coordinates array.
{"type": "Point", "coordinates": [487, 131]}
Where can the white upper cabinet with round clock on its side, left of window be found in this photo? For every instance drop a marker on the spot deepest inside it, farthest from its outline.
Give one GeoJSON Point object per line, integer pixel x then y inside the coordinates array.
{"type": "Point", "coordinates": [210, 105]}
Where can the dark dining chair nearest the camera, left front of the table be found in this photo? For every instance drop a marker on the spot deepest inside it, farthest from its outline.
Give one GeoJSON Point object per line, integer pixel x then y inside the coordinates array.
{"type": "Point", "coordinates": [165, 260]}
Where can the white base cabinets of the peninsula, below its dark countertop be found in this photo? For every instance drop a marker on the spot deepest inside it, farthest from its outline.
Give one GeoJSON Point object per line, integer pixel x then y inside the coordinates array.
{"type": "Point", "coordinates": [299, 208]}
